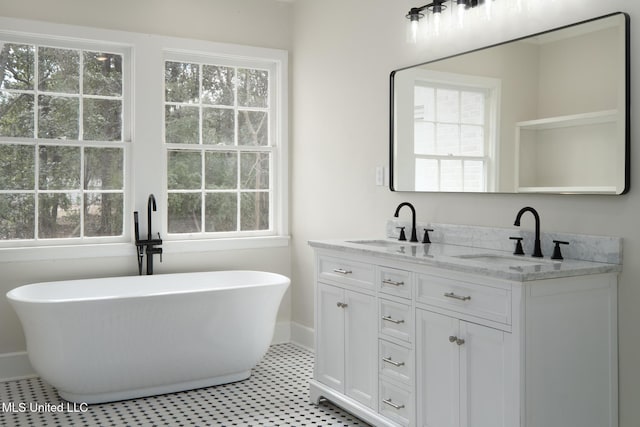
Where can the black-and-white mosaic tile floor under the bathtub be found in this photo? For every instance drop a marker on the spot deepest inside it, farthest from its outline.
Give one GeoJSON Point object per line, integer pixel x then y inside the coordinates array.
{"type": "Point", "coordinates": [276, 394]}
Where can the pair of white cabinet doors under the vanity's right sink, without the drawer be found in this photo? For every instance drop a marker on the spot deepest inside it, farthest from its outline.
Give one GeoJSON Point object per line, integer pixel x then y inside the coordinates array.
{"type": "Point", "coordinates": [462, 372]}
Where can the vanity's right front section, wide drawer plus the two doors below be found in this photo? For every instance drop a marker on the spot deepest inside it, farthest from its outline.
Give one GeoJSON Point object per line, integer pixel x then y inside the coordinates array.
{"type": "Point", "coordinates": [464, 351]}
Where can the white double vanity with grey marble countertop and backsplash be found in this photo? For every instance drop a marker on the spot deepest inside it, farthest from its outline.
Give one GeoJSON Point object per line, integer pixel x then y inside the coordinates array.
{"type": "Point", "coordinates": [461, 332]}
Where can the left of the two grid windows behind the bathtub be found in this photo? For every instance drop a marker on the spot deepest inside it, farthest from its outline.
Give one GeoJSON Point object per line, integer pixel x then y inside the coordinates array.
{"type": "Point", "coordinates": [62, 153]}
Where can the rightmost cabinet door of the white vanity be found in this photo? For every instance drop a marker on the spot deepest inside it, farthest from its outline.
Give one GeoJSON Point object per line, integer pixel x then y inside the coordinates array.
{"type": "Point", "coordinates": [483, 372]}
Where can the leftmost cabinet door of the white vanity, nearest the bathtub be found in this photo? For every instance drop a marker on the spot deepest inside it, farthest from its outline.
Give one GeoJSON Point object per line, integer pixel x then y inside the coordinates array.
{"type": "Point", "coordinates": [329, 366]}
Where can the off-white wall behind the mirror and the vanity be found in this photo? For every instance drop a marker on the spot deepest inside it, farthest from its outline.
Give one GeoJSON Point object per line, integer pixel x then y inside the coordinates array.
{"type": "Point", "coordinates": [343, 52]}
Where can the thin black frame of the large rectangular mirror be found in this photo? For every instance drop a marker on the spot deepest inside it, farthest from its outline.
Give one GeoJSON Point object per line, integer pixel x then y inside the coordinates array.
{"type": "Point", "coordinates": [627, 113]}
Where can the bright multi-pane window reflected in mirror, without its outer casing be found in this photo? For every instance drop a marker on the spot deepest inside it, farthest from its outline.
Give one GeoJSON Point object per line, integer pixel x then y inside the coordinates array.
{"type": "Point", "coordinates": [454, 140]}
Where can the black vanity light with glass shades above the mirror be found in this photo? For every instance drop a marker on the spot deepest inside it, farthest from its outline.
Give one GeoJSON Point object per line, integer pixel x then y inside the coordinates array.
{"type": "Point", "coordinates": [433, 12]}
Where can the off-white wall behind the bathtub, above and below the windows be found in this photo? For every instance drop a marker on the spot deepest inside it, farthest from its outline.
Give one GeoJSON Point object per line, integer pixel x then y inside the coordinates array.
{"type": "Point", "coordinates": [247, 22]}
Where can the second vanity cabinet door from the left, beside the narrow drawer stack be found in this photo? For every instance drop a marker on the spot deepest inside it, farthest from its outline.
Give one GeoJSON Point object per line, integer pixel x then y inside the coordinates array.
{"type": "Point", "coordinates": [361, 348]}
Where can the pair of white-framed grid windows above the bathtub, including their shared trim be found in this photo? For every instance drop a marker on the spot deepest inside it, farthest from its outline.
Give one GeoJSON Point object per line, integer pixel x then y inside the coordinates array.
{"type": "Point", "coordinates": [210, 141]}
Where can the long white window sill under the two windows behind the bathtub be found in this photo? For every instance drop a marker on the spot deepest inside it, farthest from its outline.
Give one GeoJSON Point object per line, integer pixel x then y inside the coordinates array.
{"type": "Point", "coordinates": [106, 250]}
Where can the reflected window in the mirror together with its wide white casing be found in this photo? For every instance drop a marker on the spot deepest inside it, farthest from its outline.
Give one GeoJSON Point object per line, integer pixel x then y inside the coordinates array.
{"type": "Point", "coordinates": [453, 130]}
